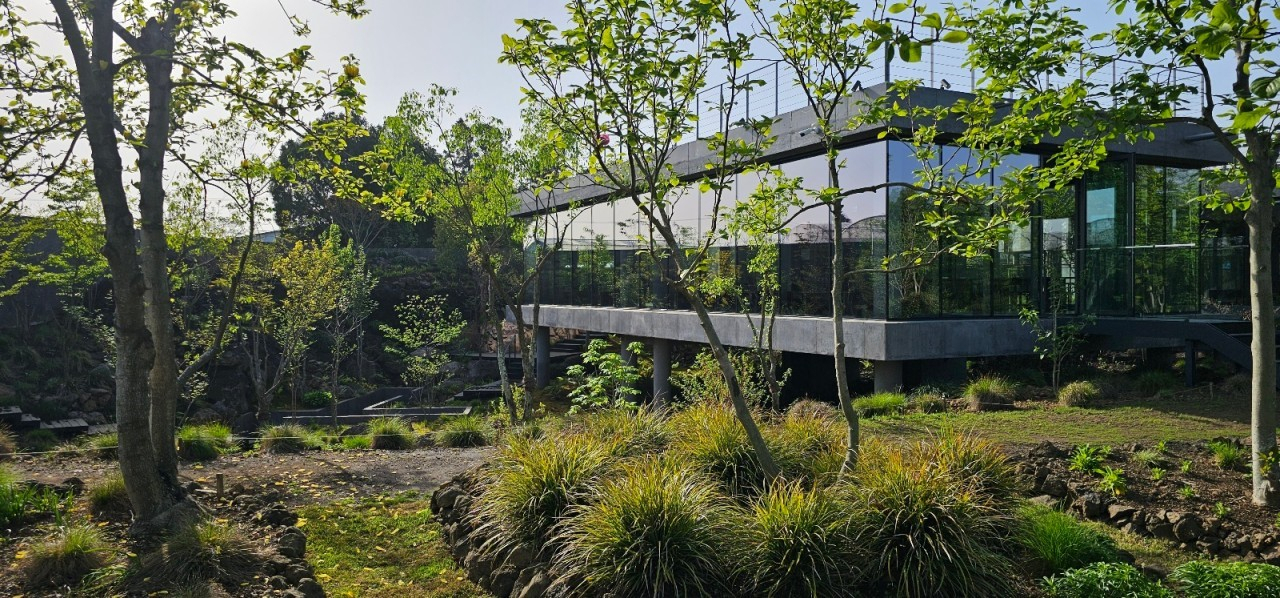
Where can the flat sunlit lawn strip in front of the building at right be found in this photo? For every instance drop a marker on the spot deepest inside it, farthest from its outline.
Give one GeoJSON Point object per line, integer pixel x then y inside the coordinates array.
{"type": "Point", "coordinates": [1145, 422]}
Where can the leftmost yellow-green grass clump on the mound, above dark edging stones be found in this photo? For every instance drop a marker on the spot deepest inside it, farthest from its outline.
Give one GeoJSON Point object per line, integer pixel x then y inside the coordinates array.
{"type": "Point", "coordinates": [534, 482]}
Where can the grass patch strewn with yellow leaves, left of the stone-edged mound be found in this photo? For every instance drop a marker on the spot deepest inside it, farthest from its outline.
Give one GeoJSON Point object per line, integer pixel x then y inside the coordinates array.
{"type": "Point", "coordinates": [382, 547]}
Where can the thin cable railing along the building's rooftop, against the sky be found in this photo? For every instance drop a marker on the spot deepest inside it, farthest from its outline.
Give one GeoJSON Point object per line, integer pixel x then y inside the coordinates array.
{"type": "Point", "coordinates": [941, 66]}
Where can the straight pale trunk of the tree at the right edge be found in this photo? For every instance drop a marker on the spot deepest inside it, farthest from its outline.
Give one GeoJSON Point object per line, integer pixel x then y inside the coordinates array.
{"type": "Point", "coordinates": [1260, 220]}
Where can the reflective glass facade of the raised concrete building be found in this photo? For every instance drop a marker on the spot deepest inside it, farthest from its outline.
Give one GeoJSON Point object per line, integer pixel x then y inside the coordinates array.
{"type": "Point", "coordinates": [1126, 240]}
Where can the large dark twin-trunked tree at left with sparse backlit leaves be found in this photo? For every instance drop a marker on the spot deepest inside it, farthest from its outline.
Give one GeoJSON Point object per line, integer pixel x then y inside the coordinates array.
{"type": "Point", "coordinates": [135, 75]}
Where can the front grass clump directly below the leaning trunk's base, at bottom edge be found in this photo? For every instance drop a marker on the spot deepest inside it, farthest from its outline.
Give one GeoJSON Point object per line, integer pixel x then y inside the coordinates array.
{"type": "Point", "coordinates": [798, 545]}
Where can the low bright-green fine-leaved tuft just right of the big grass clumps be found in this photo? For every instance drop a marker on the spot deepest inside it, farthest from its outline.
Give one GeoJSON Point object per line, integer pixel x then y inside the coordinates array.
{"type": "Point", "coordinates": [1058, 542]}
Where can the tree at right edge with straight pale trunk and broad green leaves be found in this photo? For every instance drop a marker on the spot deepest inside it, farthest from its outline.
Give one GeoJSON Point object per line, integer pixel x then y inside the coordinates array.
{"type": "Point", "coordinates": [1022, 51]}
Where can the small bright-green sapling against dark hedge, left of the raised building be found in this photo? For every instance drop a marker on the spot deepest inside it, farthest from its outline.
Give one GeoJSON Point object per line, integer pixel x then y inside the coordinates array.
{"type": "Point", "coordinates": [426, 332]}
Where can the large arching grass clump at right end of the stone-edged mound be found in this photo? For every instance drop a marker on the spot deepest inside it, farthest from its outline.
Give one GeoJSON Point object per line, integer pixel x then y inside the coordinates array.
{"type": "Point", "coordinates": [925, 532]}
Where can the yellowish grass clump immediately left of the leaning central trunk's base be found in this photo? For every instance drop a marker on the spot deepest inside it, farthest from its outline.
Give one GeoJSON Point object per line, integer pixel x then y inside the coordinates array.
{"type": "Point", "coordinates": [710, 439]}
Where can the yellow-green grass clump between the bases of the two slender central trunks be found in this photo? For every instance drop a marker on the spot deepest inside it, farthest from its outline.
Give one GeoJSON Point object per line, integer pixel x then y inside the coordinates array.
{"type": "Point", "coordinates": [808, 448]}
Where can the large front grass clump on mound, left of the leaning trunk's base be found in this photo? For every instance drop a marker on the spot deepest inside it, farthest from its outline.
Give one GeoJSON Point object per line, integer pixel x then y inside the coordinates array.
{"type": "Point", "coordinates": [656, 529]}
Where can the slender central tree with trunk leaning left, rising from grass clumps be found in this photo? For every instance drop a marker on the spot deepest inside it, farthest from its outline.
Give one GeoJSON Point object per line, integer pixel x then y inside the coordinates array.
{"type": "Point", "coordinates": [632, 72]}
